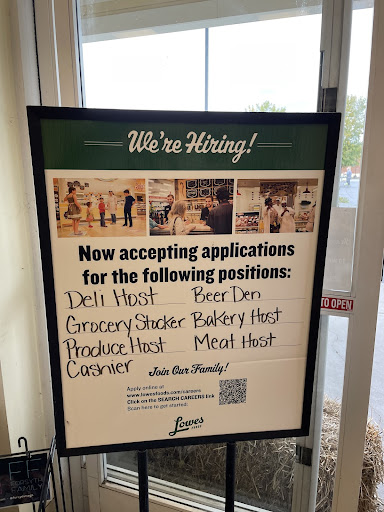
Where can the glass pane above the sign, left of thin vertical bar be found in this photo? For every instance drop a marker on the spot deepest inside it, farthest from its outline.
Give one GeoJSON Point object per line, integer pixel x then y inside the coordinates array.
{"type": "Point", "coordinates": [147, 72]}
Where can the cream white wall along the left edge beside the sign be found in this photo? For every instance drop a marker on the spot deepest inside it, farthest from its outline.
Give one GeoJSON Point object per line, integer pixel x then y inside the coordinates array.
{"type": "Point", "coordinates": [19, 347]}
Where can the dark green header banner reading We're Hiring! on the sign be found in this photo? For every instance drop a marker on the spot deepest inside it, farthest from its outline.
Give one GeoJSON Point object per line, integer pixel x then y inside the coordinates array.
{"type": "Point", "coordinates": [82, 144]}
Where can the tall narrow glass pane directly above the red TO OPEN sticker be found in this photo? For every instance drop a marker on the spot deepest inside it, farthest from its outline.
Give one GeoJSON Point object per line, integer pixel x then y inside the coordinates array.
{"type": "Point", "coordinates": [341, 240]}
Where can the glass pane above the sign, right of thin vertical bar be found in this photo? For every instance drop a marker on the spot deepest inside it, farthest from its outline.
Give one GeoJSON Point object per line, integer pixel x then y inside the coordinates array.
{"type": "Point", "coordinates": [265, 63]}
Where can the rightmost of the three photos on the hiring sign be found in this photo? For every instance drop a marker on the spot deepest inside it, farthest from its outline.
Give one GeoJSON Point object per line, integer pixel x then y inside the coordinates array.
{"type": "Point", "coordinates": [275, 206]}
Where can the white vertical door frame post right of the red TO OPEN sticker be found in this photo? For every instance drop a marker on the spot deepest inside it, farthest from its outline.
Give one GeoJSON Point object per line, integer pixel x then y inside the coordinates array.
{"type": "Point", "coordinates": [366, 282]}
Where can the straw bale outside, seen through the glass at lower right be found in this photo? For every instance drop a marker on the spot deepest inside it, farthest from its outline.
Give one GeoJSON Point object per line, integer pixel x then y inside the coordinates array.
{"type": "Point", "coordinates": [265, 469]}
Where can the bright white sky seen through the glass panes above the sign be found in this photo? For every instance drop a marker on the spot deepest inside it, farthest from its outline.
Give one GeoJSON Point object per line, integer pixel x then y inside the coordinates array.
{"type": "Point", "coordinates": [274, 60]}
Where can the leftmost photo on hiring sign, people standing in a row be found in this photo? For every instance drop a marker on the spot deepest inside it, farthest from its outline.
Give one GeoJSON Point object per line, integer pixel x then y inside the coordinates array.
{"type": "Point", "coordinates": [86, 207]}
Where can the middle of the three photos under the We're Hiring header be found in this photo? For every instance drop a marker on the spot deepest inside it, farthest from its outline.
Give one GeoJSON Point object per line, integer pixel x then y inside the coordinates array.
{"type": "Point", "coordinates": [190, 206]}
